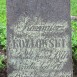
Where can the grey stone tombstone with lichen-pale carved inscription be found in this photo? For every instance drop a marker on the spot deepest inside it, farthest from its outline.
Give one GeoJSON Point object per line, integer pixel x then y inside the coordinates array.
{"type": "Point", "coordinates": [39, 38]}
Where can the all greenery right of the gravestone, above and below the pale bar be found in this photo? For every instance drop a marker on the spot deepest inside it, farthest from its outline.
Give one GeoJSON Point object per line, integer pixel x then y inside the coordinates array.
{"type": "Point", "coordinates": [74, 29]}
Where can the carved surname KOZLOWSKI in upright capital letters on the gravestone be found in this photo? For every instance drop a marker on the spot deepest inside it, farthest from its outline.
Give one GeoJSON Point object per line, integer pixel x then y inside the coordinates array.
{"type": "Point", "coordinates": [39, 43]}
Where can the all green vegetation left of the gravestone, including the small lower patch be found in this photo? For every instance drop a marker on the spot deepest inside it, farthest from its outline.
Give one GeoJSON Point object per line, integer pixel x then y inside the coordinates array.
{"type": "Point", "coordinates": [2, 30]}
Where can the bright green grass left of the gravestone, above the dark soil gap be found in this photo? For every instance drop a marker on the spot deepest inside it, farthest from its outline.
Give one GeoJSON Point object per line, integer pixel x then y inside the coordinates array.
{"type": "Point", "coordinates": [3, 23]}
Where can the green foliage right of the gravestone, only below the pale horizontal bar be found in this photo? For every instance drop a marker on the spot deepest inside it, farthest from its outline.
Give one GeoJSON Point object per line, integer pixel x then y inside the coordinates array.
{"type": "Point", "coordinates": [74, 39]}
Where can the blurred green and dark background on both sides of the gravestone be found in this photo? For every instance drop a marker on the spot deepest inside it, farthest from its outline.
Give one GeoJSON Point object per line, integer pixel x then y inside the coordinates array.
{"type": "Point", "coordinates": [73, 12]}
